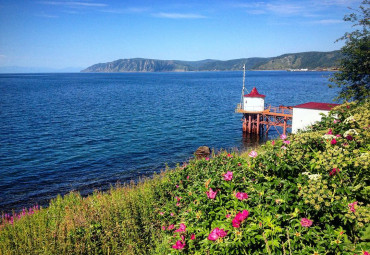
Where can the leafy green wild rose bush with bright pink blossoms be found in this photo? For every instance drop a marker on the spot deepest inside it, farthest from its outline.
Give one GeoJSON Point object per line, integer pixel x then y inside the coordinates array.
{"type": "Point", "coordinates": [303, 194]}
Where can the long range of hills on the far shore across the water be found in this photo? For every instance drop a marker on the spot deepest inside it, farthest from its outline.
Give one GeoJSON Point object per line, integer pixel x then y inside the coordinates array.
{"type": "Point", "coordinates": [304, 60]}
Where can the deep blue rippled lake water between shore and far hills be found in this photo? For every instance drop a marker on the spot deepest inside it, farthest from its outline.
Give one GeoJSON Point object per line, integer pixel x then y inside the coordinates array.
{"type": "Point", "coordinates": [64, 132]}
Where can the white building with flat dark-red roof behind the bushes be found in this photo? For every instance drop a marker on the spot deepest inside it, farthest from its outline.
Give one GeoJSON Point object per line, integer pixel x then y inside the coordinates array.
{"type": "Point", "coordinates": [304, 115]}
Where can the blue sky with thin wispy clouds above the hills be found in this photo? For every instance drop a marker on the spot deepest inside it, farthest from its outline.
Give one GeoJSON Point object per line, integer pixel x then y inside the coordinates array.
{"type": "Point", "coordinates": [79, 33]}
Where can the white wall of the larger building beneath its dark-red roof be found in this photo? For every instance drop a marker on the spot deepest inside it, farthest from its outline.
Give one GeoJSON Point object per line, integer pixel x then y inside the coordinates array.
{"type": "Point", "coordinates": [303, 118]}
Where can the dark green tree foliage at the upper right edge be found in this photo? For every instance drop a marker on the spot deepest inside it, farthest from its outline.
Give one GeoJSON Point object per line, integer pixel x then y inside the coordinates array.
{"type": "Point", "coordinates": [353, 78]}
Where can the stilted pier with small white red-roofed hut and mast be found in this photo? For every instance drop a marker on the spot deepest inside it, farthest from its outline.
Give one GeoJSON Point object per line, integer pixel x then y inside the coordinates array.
{"type": "Point", "coordinates": [258, 119]}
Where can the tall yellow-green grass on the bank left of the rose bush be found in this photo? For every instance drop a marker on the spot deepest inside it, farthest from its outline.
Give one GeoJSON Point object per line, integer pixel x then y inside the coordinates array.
{"type": "Point", "coordinates": [121, 221]}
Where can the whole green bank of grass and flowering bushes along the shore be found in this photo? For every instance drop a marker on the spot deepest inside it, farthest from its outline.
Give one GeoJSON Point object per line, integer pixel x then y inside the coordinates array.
{"type": "Point", "coordinates": [305, 194]}
